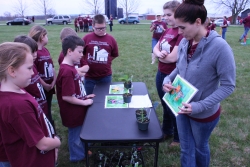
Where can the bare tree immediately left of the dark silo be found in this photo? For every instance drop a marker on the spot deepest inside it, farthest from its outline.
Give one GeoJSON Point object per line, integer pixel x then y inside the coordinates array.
{"type": "Point", "coordinates": [93, 6]}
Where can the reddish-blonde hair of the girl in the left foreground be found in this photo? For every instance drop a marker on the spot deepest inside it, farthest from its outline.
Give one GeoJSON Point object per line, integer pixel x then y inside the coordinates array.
{"type": "Point", "coordinates": [12, 54]}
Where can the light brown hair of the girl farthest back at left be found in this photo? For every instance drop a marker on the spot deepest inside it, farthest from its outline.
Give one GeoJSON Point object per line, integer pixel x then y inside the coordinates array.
{"type": "Point", "coordinates": [37, 32]}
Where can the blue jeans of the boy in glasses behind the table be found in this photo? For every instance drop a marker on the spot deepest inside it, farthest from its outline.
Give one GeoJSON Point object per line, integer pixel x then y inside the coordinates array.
{"type": "Point", "coordinates": [89, 84]}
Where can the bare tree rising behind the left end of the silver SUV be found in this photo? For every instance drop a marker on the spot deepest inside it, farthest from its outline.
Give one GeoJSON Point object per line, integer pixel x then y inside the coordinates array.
{"type": "Point", "coordinates": [44, 7]}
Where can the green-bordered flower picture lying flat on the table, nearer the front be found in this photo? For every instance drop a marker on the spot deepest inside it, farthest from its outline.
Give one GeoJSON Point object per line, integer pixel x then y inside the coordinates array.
{"type": "Point", "coordinates": [115, 102]}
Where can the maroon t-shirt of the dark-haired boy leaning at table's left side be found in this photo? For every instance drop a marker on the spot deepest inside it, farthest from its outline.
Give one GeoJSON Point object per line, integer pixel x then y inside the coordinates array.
{"type": "Point", "coordinates": [69, 83]}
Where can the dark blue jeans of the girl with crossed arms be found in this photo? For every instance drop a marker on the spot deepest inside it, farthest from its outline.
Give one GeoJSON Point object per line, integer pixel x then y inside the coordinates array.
{"type": "Point", "coordinates": [169, 126]}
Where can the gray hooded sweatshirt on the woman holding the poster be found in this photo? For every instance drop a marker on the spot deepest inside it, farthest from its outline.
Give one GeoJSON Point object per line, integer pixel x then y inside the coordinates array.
{"type": "Point", "coordinates": [211, 70]}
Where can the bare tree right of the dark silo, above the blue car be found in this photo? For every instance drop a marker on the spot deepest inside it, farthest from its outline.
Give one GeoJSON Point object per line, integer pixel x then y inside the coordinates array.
{"type": "Point", "coordinates": [130, 6]}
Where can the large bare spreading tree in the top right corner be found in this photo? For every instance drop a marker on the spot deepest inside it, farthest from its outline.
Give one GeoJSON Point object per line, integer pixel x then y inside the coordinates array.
{"type": "Point", "coordinates": [235, 6]}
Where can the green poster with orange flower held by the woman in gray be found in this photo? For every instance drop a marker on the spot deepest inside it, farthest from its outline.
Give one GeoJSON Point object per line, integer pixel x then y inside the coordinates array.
{"type": "Point", "coordinates": [182, 93]}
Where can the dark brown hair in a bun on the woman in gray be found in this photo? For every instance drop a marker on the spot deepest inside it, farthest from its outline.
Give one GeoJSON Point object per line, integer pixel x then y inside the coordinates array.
{"type": "Point", "coordinates": [190, 10]}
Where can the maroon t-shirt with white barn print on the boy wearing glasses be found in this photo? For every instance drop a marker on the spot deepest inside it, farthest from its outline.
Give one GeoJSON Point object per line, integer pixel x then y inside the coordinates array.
{"type": "Point", "coordinates": [99, 51]}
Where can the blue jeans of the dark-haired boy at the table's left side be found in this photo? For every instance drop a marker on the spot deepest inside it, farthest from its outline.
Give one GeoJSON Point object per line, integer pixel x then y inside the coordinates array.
{"type": "Point", "coordinates": [76, 146]}
